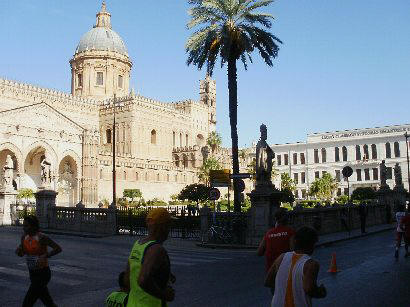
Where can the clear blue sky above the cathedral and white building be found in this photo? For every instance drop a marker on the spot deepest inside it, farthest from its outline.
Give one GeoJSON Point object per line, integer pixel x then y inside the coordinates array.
{"type": "Point", "coordinates": [344, 64]}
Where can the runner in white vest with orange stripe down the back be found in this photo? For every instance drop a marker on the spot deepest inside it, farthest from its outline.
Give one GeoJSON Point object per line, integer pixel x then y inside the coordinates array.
{"type": "Point", "coordinates": [293, 275]}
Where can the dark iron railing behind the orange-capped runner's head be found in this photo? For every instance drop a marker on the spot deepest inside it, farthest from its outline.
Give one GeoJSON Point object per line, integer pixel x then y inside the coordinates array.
{"type": "Point", "coordinates": [131, 221]}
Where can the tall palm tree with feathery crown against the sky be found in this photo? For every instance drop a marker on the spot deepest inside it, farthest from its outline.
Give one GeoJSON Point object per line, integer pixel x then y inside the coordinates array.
{"type": "Point", "coordinates": [229, 29]}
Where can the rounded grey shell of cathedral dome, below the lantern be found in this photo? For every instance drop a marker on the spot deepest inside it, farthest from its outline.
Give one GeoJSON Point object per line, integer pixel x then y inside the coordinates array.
{"type": "Point", "coordinates": [101, 38]}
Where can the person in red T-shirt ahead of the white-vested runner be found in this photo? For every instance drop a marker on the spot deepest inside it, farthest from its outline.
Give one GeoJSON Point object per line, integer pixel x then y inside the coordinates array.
{"type": "Point", "coordinates": [276, 240]}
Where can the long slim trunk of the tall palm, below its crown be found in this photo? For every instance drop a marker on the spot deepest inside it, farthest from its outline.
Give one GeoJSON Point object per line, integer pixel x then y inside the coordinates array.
{"type": "Point", "coordinates": [233, 117]}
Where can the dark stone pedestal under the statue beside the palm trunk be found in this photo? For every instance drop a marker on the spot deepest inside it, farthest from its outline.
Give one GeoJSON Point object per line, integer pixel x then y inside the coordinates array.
{"type": "Point", "coordinates": [265, 200]}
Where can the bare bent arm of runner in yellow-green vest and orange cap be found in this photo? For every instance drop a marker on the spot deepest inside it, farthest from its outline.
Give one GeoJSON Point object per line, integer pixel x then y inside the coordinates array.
{"type": "Point", "coordinates": [153, 261]}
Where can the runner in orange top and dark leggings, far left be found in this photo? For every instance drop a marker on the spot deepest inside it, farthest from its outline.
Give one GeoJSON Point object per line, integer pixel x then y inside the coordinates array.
{"type": "Point", "coordinates": [34, 245]}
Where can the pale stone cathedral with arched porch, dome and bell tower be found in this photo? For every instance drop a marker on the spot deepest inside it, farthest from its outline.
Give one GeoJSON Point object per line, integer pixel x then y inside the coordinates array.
{"type": "Point", "coordinates": [158, 146]}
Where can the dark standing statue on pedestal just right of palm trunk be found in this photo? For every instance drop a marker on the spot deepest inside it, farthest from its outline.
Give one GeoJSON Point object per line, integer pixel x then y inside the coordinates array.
{"type": "Point", "coordinates": [264, 157]}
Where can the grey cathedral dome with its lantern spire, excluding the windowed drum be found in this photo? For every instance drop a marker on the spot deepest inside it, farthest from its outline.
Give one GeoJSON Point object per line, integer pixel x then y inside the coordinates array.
{"type": "Point", "coordinates": [102, 37]}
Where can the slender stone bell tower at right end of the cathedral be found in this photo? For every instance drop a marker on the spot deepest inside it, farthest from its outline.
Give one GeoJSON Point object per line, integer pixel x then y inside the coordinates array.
{"type": "Point", "coordinates": [207, 93]}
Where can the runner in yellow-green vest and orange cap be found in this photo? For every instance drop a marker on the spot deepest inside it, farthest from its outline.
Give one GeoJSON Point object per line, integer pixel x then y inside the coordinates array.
{"type": "Point", "coordinates": [148, 269]}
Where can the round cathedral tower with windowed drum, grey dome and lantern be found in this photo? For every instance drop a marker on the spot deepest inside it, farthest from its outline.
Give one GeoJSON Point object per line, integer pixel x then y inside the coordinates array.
{"type": "Point", "coordinates": [100, 66]}
